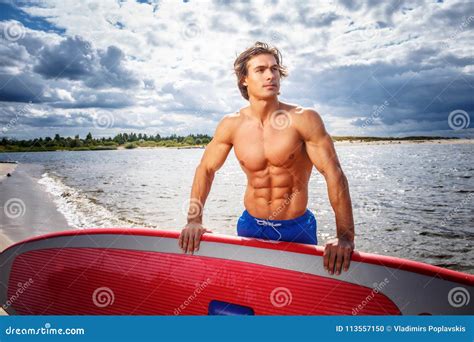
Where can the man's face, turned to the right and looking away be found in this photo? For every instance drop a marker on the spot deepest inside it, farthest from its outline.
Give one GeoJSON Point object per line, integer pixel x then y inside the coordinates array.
{"type": "Point", "coordinates": [263, 77]}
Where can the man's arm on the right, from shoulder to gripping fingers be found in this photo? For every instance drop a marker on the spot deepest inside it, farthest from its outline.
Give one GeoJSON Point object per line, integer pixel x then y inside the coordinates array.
{"type": "Point", "coordinates": [320, 149]}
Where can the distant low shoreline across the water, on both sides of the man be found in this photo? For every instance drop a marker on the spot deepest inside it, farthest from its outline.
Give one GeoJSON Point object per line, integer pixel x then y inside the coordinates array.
{"type": "Point", "coordinates": [338, 141]}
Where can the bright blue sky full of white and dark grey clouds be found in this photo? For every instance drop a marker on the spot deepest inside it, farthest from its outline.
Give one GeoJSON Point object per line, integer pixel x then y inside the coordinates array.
{"type": "Point", "coordinates": [397, 68]}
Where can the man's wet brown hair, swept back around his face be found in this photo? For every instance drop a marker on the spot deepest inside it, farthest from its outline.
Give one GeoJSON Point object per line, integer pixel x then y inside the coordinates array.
{"type": "Point", "coordinates": [259, 48]}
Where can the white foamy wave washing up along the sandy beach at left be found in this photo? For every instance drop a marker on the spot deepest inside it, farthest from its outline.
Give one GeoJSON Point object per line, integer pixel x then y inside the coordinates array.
{"type": "Point", "coordinates": [79, 211]}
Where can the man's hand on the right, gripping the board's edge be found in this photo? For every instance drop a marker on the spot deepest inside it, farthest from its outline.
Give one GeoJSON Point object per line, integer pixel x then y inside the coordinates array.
{"type": "Point", "coordinates": [337, 254]}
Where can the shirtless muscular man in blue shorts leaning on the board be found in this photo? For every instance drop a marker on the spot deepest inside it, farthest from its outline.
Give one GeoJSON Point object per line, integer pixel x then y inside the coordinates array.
{"type": "Point", "coordinates": [277, 145]}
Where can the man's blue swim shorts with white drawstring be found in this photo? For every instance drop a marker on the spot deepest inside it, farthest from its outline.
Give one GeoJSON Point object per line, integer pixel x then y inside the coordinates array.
{"type": "Point", "coordinates": [301, 229]}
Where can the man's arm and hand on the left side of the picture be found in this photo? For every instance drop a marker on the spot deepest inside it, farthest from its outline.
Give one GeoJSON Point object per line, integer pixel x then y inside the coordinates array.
{"type": "Point", "coordinates": [214, 157]}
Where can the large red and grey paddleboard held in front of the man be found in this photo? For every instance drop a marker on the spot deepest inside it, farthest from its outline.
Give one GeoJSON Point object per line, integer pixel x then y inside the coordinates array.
{"type": "Point", "coordinates": [118, 271]}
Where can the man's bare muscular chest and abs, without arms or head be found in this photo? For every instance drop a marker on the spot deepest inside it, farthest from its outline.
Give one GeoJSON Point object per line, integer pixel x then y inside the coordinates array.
{"type": "Point", "coordinates": [274, 158]}
